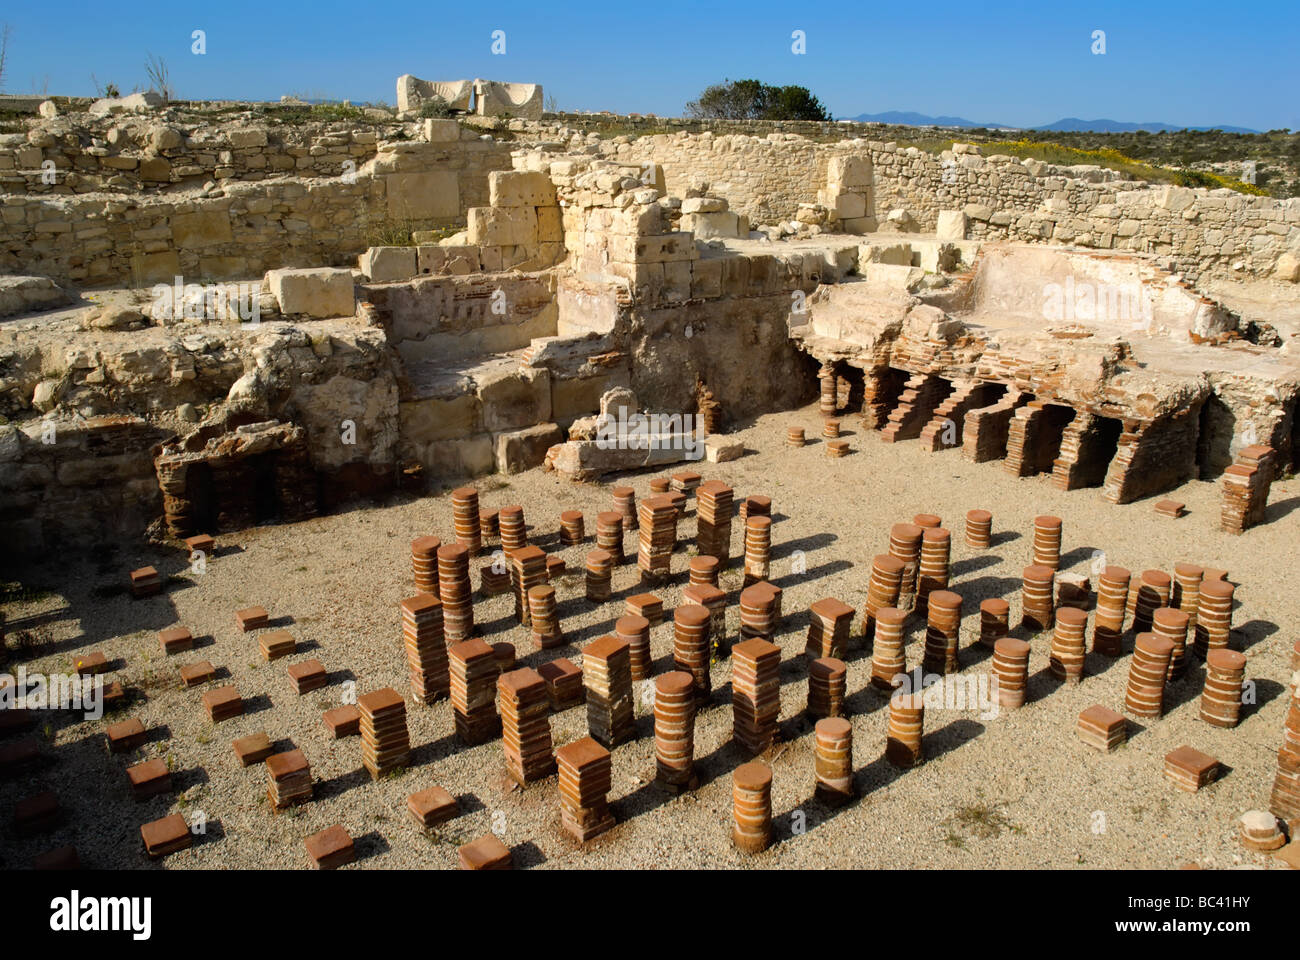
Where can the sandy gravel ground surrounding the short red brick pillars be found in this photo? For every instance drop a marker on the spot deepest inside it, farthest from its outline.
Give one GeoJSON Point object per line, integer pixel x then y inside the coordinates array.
{"type": "Point", "coordinates": [1015, 792]}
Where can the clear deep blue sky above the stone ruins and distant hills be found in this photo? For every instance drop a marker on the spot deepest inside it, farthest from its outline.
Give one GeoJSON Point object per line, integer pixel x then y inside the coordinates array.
{"type": "Point", "coordinates": [1188, 63]}
